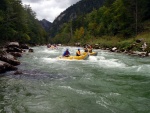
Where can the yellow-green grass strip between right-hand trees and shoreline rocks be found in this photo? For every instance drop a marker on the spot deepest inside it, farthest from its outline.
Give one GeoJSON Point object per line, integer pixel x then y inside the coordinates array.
{"type": "Point", "coordinates": [117, 41]}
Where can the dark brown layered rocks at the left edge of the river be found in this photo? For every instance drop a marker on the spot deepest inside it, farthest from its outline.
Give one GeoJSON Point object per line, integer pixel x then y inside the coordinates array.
{"type": "Point", "coordinates": [9, 54]}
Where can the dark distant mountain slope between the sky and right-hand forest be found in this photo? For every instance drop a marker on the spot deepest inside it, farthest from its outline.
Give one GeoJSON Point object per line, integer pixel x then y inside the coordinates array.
{"type": "Point", "coordinates": [75, 11]}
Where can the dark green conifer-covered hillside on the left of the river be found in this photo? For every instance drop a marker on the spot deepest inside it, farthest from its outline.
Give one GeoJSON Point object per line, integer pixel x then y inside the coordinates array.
{"type": "Point", "coordinates": [19, 23]}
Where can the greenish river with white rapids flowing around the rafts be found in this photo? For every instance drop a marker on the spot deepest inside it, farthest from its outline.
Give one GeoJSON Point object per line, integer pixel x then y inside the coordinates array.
{"type": "Point", "coordinates": [106, 83]}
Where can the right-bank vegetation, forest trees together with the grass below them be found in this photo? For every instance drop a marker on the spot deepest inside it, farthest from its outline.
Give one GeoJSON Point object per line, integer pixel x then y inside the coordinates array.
{"type": "Point", "coordinates": [117, 23]}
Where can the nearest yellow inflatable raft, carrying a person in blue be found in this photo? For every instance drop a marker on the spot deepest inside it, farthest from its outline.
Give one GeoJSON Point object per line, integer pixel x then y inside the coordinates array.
{"type": "Point", "coordinates": [83, 56]}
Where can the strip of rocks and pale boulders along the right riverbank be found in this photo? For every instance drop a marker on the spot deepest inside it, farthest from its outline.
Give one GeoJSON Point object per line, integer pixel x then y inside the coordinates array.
{"type": "Point", "coordinates": [139, 48]}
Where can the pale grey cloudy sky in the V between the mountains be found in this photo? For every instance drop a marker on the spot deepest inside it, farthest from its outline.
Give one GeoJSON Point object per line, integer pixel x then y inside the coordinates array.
{"type": "Point", "coordinates": [49, 9]}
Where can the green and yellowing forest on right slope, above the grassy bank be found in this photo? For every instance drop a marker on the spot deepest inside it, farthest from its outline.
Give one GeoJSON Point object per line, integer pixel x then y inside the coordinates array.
{"type": "Point", "coordinates": [123, 18]}
